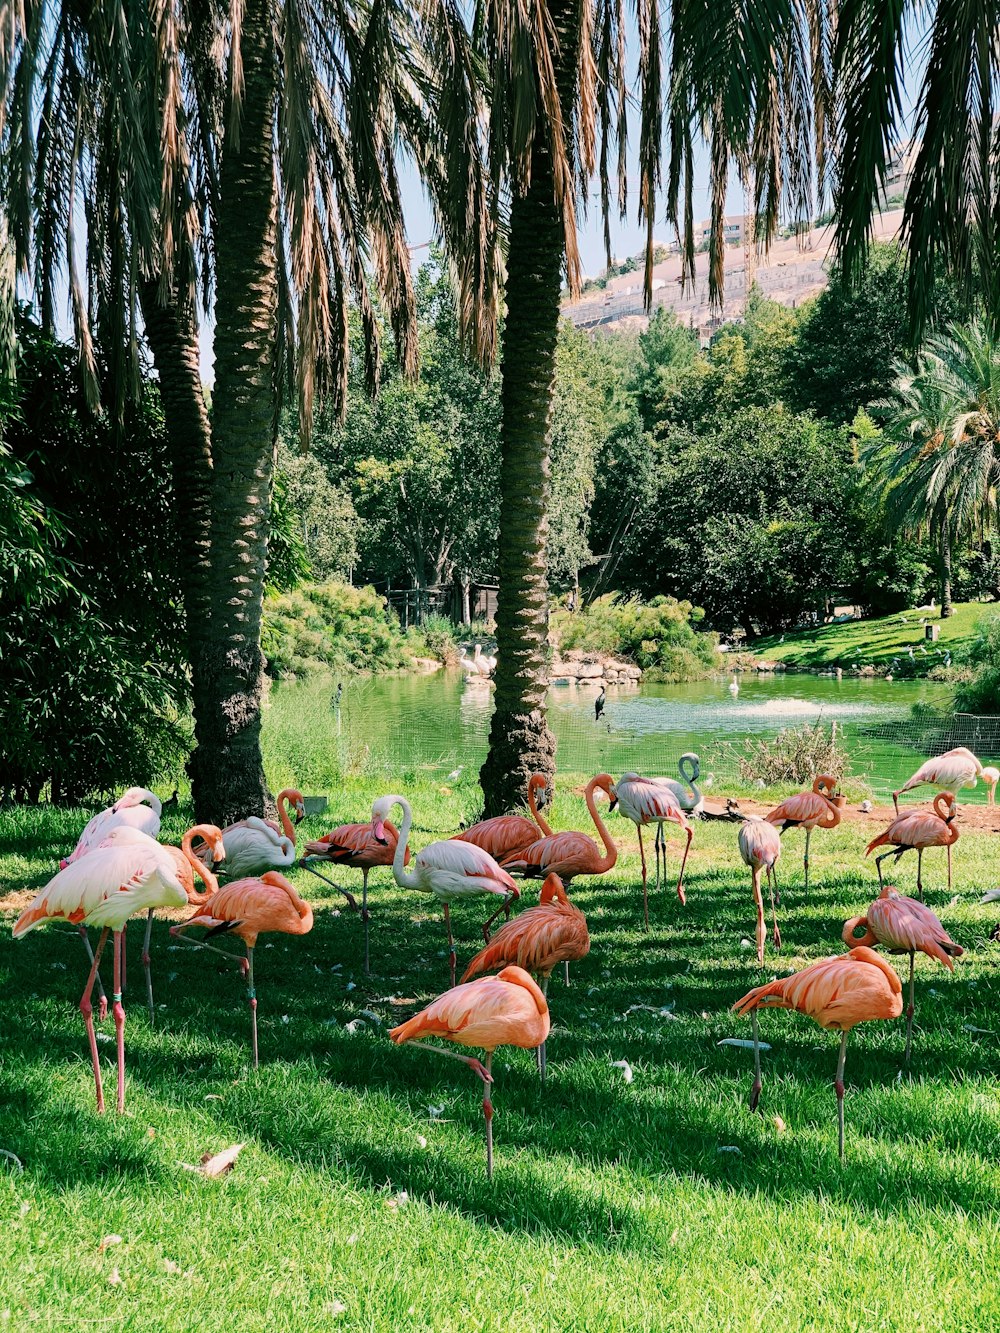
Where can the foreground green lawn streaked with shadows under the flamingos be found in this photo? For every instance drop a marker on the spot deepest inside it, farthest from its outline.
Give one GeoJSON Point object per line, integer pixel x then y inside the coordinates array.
{"type": "Point", "coordinates": [659, 1204]}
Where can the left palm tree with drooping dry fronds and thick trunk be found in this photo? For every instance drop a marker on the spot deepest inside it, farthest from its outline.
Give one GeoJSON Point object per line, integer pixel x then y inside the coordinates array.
{"type": "Point", "coordinates": [253, 151]}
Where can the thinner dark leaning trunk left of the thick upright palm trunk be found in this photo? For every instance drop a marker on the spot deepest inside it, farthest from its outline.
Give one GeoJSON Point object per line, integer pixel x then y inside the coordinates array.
{"type": "Point", "coordinates": [171, 330]}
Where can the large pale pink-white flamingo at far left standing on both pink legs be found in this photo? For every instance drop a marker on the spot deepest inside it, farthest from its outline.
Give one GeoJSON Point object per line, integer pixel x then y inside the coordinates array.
{"type": "Point", "coordinates": [129, 874]}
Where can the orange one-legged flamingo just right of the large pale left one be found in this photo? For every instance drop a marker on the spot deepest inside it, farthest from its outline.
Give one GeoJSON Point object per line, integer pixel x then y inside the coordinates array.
{"type": "Point", "coordinates": [249, 908]}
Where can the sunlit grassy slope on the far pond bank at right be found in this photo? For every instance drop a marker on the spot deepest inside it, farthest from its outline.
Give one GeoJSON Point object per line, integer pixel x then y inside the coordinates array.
{"type": "Point", "coordinates": [878, 642]}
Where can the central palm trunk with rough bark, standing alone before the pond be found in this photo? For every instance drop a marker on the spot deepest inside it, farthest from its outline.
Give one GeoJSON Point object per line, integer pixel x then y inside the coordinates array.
{"type": "Point", "coordinates": [521, 743]}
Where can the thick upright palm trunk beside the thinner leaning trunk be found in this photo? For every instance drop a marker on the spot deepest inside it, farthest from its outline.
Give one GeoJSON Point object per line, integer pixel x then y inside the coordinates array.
{"type": "Point", "coordinates": [227, 771]}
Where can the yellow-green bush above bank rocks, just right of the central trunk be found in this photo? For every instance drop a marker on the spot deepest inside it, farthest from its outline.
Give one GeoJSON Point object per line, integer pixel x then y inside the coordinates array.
{"type": "Point", "coordinates": [657, 637]}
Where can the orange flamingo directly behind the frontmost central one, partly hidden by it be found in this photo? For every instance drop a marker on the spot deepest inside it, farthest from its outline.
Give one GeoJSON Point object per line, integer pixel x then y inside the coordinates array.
{"type": "Point", "coordinates": [538, 940]}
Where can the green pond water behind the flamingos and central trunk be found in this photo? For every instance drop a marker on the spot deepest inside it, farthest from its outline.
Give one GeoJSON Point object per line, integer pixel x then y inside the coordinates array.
{"type": "Point", "coordinates": [438, 724]}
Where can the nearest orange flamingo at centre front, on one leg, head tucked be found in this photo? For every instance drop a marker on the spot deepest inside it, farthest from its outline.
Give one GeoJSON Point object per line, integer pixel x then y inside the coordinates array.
{"type": "Point", "coordinates": [505, 1011]}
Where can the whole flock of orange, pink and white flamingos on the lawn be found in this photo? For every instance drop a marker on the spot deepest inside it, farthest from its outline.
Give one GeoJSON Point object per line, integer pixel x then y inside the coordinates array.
{"type": "Point", "coordinates": [119, 870]}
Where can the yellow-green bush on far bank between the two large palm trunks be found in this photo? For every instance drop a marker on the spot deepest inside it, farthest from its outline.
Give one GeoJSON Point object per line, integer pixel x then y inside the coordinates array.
{"type": "Point", "coordinates": [331, 627]}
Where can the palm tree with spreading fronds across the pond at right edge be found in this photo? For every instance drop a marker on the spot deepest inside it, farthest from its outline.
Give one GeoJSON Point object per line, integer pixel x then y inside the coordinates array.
{"type": "Point", "coordinates": [938, 461]}
